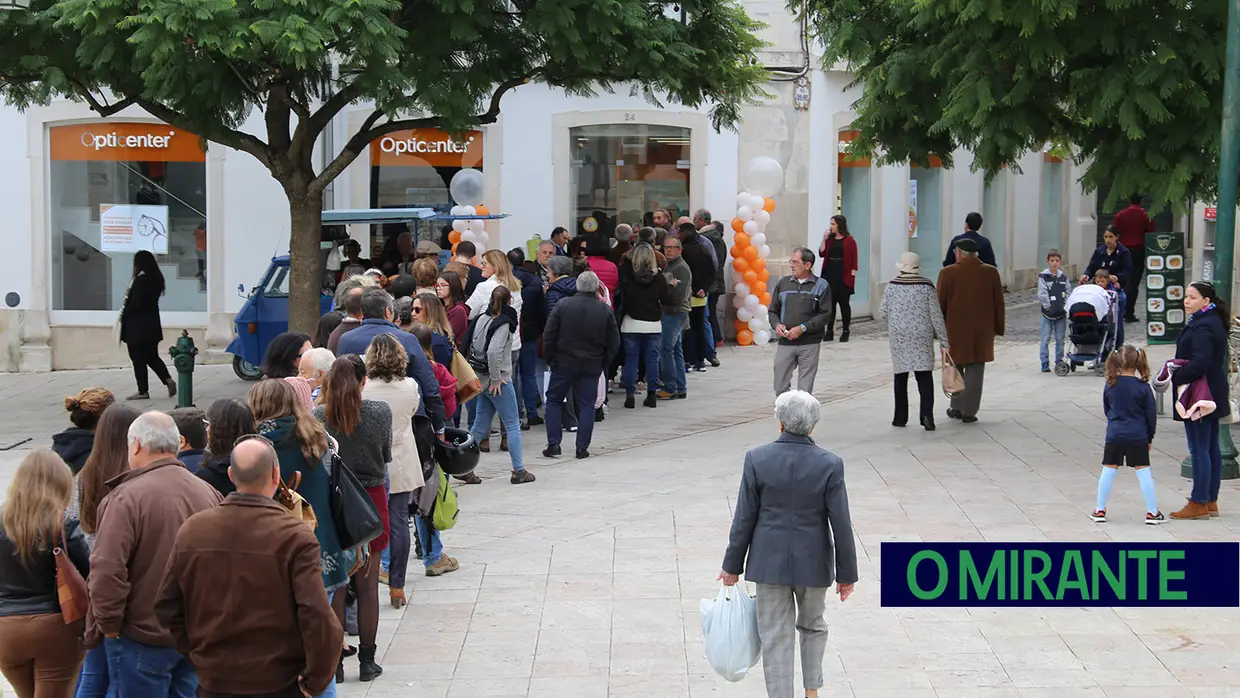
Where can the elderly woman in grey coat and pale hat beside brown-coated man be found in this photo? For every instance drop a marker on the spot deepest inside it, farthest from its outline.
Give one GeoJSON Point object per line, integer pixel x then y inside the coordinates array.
{"type": "Point", "coordinates": [911, 306]}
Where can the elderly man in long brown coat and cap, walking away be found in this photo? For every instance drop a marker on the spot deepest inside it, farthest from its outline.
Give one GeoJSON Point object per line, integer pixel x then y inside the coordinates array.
{"type": "Point", "coordinates": [972, 298]}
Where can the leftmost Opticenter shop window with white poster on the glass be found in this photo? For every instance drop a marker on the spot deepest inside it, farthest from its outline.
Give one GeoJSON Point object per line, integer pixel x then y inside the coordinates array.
{"type": "Point", "coordinates": [116, 189]}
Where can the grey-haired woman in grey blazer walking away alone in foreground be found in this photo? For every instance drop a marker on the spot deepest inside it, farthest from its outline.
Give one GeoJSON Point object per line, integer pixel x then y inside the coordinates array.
{"type": "Point", "coordinates": [793, 523]}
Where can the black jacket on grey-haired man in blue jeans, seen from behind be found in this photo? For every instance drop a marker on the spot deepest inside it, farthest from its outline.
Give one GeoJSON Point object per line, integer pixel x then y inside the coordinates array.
{"type": "Point", "coordinates": [581, 335]}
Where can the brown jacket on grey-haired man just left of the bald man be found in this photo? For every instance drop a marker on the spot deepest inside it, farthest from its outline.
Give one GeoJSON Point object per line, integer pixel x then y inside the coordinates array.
{"type": "Point", "coordinates": [138, 524]}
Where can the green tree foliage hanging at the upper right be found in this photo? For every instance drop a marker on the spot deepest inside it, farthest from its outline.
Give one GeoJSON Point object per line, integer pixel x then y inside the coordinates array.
{"type": "Point", "coordinates": [1131, 89]}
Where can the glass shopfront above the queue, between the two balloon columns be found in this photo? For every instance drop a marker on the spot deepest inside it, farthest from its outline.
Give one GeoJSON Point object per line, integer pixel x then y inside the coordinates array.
{"type": "Point", "coordinates": [624, 173]}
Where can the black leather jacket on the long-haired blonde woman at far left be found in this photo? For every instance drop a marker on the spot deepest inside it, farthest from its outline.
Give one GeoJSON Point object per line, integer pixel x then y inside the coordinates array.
{"type": "Point", "coordinates": [29, 588]}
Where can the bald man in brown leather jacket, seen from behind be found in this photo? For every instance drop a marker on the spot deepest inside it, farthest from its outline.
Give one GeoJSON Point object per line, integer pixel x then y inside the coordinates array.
{"type": "Point", "coordinates": [244, 596]}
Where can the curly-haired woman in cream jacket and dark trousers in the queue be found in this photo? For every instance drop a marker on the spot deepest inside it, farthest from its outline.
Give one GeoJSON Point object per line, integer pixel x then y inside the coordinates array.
{"type": "Point", "coordinates": [386, 363]}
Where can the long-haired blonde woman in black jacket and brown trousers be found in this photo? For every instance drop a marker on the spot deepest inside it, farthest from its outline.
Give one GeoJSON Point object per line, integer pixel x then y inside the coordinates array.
{"type": "Point", "coordinates": [40, 655]}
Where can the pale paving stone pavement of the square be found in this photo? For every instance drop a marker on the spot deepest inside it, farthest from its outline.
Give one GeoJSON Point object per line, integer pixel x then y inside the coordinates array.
{"type": "Point", "coordinates": [587, 583]}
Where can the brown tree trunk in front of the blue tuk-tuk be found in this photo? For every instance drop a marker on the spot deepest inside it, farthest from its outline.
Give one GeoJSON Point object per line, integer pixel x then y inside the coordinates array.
{"type": "Point", "coordinates": [306, 261]}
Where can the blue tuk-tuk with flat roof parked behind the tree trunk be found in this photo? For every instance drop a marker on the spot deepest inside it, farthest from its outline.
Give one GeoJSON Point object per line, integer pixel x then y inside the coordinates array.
{"type": "Point", "coordinates": [266, 313]}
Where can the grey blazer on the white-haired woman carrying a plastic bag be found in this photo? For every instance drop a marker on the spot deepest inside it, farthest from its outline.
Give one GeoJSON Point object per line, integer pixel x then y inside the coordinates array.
{"type": "Point", "coordinates": [793, 518]}
